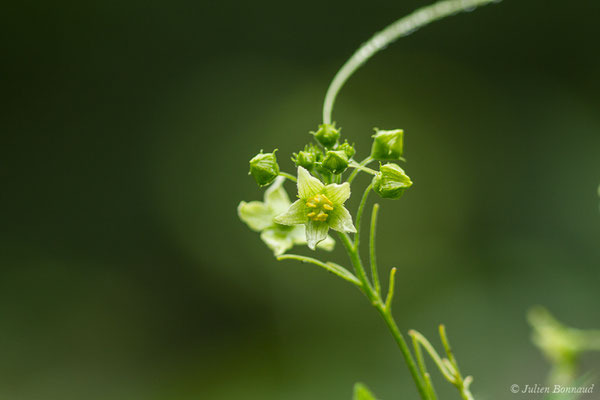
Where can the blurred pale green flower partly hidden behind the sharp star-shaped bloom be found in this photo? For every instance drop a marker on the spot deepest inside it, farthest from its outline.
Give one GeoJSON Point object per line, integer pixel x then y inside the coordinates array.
{"type": "Point", "coordinates": [259, 217]}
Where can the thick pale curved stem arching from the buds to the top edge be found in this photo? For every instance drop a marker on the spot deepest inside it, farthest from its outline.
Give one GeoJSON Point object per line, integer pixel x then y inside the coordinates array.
{"type": "Point", "coordinates": [379, 41]}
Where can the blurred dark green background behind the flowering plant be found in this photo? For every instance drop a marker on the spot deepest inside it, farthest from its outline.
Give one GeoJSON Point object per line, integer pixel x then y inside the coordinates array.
{"type": "Point", "coordinates": [126, 131]}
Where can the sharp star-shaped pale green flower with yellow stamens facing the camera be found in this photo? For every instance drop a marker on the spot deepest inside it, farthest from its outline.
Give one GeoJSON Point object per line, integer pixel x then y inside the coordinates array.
{"type": "Point", "coordinates": [319, 207]}
